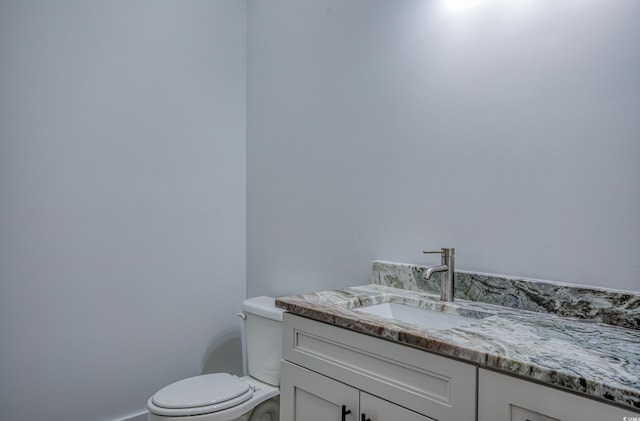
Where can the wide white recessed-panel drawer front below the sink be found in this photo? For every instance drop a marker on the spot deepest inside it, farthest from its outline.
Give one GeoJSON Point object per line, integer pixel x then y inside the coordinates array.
{"type": "Point", "coordinates": [431, 385]}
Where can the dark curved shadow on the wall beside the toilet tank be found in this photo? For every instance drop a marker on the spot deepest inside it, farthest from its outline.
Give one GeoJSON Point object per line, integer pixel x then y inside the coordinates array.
{"type": "Point", "coordinates": [224, 353]}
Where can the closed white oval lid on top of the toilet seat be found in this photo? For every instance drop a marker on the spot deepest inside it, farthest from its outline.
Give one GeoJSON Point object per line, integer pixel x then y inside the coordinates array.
{"type": "Point", "coordinates": [205, 390]}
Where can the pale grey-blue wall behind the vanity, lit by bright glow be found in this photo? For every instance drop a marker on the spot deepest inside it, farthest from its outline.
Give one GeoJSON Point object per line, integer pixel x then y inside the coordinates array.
{"type": "Point", "coordinates": [379, 128]}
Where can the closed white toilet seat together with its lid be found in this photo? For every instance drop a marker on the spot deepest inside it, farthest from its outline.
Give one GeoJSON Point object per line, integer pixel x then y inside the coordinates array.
{"type": "Point", "coordinates": [200, 395]}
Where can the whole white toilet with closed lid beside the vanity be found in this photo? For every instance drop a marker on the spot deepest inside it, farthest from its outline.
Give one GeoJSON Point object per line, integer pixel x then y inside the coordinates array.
{"type": "Point", "coordinates": [225, 397]}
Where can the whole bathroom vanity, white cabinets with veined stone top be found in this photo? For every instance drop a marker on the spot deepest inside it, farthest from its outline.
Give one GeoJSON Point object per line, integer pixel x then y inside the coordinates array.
{"type": "Point", "coordinates": [343, 362]}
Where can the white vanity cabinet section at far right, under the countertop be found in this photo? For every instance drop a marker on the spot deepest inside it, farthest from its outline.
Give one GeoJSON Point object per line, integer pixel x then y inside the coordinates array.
{"type": "Point", "coordinates": [505, 398]}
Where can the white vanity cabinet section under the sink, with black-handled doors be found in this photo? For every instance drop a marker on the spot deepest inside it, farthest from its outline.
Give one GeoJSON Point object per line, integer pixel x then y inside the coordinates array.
{"type": "Point", "coordinates": [328, 371]}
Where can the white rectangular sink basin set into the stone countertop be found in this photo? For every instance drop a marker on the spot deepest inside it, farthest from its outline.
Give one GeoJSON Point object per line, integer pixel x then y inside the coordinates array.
{"type": "Point", "coordinates": [433, 319]}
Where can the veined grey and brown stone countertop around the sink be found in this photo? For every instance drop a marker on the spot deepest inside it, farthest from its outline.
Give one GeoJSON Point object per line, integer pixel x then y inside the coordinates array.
{"type": "Point", "coordinates": [581, 355]}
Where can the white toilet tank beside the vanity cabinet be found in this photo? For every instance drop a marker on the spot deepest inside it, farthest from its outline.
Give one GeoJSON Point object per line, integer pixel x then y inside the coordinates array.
{"type": "Point", "coordinates": [263, 335]}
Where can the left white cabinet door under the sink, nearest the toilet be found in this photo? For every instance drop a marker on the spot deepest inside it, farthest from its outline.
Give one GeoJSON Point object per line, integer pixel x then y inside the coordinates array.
{"type": "Point", "coordinates": [309, 396]}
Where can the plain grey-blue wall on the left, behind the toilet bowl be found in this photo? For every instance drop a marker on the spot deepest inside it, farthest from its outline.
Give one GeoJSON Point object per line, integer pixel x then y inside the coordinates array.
{"type": "Point", "coordinates": [122, 201]}
